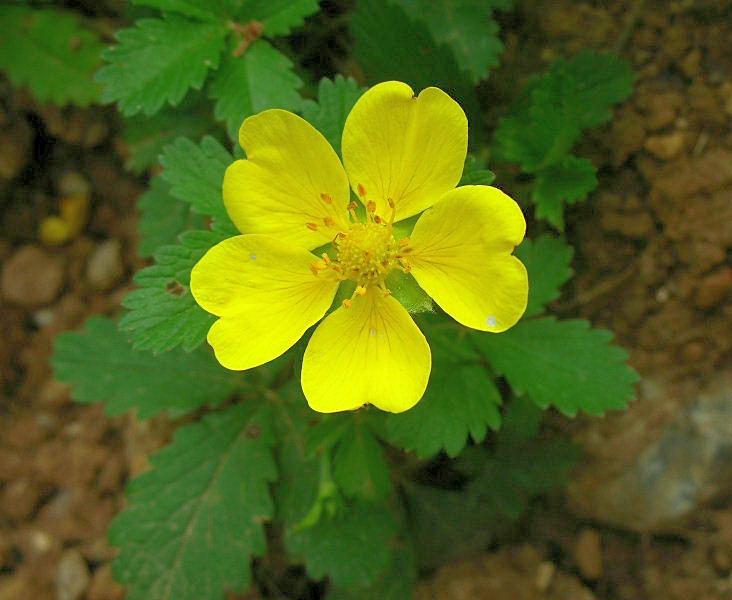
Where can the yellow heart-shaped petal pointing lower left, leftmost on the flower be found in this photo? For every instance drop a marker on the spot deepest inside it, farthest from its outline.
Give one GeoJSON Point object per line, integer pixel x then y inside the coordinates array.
{"type": "Point", "coordinates": [265, 295]}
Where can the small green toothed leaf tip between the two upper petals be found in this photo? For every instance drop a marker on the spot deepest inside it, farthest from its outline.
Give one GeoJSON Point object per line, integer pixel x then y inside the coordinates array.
{"type": "Point", "coordinates": [335, 100]}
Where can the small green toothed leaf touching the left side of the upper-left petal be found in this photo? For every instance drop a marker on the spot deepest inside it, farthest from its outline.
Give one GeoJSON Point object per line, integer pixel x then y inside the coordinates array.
{"type": "Point", "coordinates": [195, 173]}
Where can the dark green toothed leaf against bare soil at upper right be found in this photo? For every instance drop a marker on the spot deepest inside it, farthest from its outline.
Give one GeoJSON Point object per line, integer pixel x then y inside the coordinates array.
{"type": "Point", "coordinates": [548, 119]}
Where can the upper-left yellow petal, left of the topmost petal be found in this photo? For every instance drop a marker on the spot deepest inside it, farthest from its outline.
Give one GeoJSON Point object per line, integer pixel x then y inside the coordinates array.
{"type": "Point", "coordinates": [291, 182]}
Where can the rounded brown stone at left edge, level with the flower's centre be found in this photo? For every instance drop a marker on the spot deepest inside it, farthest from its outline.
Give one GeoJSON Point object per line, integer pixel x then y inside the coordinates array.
{"type": "Point", "coordinates": [32, 277]}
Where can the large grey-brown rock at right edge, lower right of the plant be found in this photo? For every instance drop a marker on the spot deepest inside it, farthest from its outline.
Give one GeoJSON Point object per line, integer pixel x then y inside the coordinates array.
{"type": "Point", "coordinates": [652, 466]}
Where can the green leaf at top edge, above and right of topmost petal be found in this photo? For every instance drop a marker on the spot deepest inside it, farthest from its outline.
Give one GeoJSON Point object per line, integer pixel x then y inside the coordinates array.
{"type": "Point", "coordinates": [466, 26]}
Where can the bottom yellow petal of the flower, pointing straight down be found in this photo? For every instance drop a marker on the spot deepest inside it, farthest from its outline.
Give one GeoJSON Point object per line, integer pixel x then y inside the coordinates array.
{"type": "Point", "coordinates": [370, 353]}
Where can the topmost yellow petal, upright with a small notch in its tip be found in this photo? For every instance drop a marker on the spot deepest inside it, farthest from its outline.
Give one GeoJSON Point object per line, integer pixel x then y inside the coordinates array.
{"type": "Point", "coordinates": [410, 149]}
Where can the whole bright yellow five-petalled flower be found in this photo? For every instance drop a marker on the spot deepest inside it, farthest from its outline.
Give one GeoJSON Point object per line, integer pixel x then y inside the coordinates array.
{"type": "Point", "coordinates": [403, 154]}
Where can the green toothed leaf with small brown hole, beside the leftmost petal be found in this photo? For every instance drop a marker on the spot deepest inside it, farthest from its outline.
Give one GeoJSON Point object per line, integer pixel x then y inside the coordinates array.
{"type": "Point", "coordinates": [163, 313]}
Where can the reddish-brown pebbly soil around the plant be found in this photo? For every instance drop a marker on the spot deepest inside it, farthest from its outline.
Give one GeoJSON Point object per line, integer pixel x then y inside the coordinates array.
{"type": "Point", "coordinates": [658, 235]}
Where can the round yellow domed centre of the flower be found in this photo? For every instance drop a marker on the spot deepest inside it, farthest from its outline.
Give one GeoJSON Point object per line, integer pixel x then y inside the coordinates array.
{"type": "Point", "coordinates": [366, 252]}
